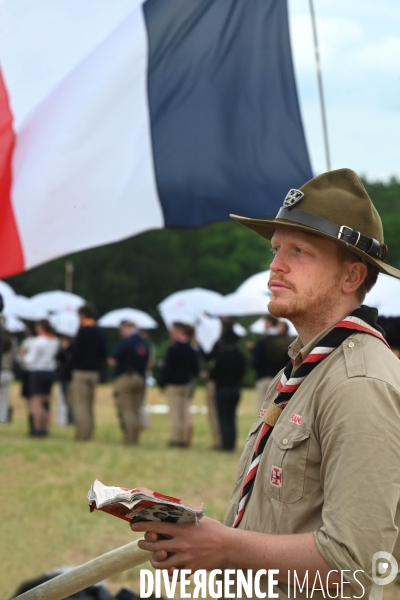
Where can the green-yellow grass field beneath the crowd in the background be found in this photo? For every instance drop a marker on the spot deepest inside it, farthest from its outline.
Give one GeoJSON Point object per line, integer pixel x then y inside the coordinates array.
{"type": "Point", "coordinates": [45, 521]}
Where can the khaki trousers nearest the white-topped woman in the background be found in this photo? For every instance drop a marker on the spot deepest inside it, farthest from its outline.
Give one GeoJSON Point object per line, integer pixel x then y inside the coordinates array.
{"type": "Point", "coordinates": [82, 389]}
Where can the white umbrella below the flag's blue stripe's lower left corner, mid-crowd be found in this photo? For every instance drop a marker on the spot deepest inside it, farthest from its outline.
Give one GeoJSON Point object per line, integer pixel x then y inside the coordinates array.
{"type": "Point", "coordinates": [185, 306]}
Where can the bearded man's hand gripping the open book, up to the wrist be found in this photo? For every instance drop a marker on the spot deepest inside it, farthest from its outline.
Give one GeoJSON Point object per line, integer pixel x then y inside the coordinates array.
{"type": "Point", "coordinates": [186, 545]}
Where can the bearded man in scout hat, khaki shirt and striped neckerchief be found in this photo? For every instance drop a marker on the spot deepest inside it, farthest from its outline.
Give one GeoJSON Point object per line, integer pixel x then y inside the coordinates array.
{"type": "Point", "coordinates": [318, 483]}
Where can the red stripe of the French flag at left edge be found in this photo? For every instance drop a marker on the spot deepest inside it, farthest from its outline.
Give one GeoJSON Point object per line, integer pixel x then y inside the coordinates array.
{"type": "Point", "coordinates": [11, 256]}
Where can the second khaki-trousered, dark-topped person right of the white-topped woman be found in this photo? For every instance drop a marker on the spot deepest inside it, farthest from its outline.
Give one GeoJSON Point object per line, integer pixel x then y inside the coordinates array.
{"type": "Point", "coordinates": [130, 359]}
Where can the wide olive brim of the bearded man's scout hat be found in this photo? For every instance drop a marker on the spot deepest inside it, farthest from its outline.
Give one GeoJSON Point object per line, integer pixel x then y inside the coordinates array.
{"type": "Point", "coordinates": [266, 228]}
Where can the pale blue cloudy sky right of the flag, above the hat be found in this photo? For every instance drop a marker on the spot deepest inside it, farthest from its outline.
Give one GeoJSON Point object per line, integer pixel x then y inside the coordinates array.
{"type": "Point", "coordinates": [359, 42]}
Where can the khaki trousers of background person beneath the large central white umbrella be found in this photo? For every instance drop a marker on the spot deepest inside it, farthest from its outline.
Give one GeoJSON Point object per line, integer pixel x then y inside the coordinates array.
{"type": "Point", "coordinates": [179, 415]}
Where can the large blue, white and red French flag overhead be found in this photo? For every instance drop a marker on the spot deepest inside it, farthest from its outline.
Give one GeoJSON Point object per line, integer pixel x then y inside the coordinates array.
{"type": "Point", "coordinates": [120, 116]}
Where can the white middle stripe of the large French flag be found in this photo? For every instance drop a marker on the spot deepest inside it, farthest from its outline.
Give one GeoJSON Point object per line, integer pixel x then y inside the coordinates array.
{"type": "Point", "coordinates": [83, 170]}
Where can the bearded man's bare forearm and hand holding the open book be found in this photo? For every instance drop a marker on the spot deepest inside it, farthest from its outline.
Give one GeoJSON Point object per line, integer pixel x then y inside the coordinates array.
{"type": "Point", "coordinates": [211, 545]}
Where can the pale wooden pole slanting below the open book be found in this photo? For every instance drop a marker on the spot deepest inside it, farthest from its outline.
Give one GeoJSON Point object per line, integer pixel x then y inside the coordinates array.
{"type": "Point", "coordinates": [92, 572]}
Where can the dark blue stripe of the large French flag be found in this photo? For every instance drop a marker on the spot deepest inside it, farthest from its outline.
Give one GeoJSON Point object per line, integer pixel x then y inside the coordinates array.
{"type": "Point", "coordinates": [226, 126]}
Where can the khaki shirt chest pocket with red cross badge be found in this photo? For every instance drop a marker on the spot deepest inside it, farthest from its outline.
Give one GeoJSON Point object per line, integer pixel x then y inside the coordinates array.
{"type": "Point", "coordinates": [286, 460]}
